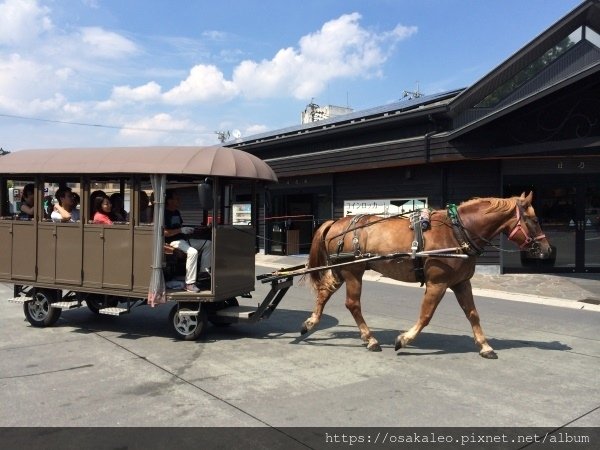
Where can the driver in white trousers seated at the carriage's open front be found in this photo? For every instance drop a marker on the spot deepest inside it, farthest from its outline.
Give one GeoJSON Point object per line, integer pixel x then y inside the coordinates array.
{"type": "Point", "coordinates": [175, 235]}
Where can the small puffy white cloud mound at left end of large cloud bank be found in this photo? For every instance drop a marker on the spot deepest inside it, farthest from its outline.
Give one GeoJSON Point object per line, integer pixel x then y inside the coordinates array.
{"type": "Point", "coordinates": [204, 84]}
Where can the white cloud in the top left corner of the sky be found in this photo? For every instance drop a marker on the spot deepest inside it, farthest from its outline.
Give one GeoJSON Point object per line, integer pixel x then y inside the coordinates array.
{"type": "Point", "coordinates": [22, 21]}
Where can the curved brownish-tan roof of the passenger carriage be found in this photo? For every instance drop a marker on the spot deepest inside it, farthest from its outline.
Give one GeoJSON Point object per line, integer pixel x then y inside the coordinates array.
{"type": "Point", "coordinates": [176, 160]}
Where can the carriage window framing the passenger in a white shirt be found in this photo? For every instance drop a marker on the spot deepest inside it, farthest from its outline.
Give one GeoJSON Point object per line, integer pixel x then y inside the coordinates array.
{"type": "Point", "coordinates": [61, 201]}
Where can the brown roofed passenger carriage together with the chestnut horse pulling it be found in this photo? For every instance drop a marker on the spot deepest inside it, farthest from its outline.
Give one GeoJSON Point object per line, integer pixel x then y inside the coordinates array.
{"type": "Point", "coordinates": [113, 268]}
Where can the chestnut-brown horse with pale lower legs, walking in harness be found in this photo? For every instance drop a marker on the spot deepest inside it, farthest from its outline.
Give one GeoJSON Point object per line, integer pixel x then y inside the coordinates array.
{"type": "Point", "coordinates": [466, 230]}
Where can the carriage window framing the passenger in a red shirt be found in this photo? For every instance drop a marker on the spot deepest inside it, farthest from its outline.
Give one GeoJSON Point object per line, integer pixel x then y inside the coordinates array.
{"type": "Point", "coordinates": [109, 201]}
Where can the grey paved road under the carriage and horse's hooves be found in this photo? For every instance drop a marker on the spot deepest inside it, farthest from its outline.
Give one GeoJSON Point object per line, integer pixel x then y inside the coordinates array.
{"type": "Point", "coordinates": [91, 370]}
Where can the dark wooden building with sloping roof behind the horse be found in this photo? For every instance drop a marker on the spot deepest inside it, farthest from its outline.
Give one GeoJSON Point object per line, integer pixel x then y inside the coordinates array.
{"type": "Point", "coordinates": [532, 123]}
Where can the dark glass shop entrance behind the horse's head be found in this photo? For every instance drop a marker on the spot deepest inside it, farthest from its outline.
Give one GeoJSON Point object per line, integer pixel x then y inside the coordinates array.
{"type": "Point", "coordinates": [568, 207]}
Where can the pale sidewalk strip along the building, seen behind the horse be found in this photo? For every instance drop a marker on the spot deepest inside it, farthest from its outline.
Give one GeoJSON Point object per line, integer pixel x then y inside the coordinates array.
{"type": "Point", "coordinates": [580, 291]}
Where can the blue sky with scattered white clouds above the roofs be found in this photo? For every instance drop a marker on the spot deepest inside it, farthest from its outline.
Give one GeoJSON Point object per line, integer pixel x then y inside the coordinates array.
{"type": "Point", "coordinates": [97, 73]}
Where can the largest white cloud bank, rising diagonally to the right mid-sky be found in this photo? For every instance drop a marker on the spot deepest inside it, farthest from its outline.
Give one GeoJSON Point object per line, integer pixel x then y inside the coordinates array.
{"type": "Point", "coordinates": [341, 48]}
